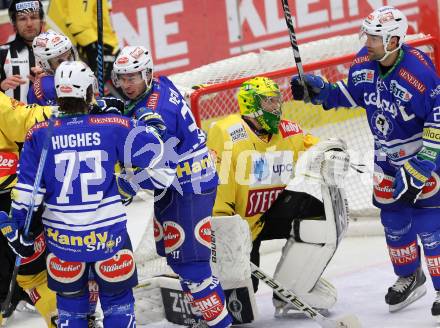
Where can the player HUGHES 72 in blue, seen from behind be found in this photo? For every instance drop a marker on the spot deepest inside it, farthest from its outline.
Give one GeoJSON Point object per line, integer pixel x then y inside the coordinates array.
{"type": "Point", "coordinates": [84, 219]}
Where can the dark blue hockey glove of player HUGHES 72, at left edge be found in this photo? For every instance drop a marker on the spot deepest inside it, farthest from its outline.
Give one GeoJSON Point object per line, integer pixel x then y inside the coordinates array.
{"type": "Point", "coordinates": [21, 247]}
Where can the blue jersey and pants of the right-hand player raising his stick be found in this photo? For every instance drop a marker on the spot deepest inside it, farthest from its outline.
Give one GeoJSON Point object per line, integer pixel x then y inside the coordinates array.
{"type": "Point", "coordinates": [403, 112]}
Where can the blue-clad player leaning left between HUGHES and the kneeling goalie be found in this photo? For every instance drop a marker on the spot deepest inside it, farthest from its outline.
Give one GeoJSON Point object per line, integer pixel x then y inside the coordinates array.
{"type": "Point", "coordinates": [183, 211]}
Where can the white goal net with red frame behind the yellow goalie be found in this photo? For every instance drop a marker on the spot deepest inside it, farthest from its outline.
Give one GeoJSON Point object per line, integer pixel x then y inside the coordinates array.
{"type": "Point", "coordinates": [212, 94]}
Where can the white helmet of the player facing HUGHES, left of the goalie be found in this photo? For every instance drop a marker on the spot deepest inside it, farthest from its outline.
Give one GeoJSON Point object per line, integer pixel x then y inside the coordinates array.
{"type": "Point", "coordinates": [133, 59]}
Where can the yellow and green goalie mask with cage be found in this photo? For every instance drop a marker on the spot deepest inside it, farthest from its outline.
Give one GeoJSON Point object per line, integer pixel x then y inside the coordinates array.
{"type": "Point", "coordinates": [260, 98]}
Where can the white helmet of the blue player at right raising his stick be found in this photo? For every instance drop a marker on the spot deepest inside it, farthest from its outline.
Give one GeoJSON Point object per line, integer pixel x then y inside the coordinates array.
{"type": "Point", "coordinates": [386, 22]}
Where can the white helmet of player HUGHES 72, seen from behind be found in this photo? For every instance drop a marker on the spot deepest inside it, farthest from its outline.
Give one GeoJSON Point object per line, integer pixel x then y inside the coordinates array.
{"type": "Point", "coordinates": [72, 79]}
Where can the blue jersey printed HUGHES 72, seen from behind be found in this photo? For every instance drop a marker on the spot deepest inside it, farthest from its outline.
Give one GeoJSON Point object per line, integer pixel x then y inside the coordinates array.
{"type": "Point", "coordinates": [84, 219]}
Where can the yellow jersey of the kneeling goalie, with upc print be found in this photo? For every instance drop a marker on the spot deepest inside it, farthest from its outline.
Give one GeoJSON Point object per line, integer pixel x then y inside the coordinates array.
{"type": "Point", "coordinates": [253, 171]}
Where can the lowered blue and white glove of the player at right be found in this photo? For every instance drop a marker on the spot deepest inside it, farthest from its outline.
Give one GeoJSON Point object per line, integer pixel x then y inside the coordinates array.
{"type": "Point", "coordinates": [411, 178]}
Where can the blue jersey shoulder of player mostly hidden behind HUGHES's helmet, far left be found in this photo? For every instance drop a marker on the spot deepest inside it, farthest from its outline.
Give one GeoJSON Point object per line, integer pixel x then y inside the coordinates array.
{"type": "Point", "coordinates": [42, 91]}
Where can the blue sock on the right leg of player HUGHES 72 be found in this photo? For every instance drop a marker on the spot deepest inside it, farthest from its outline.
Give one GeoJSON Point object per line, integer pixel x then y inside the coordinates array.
{"type": "Point", "coordinates": [118, 309]}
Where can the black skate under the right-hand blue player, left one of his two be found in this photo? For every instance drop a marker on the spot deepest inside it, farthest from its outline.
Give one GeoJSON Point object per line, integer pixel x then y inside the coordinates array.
{"type": "Point", "coordinates": [406, 290]}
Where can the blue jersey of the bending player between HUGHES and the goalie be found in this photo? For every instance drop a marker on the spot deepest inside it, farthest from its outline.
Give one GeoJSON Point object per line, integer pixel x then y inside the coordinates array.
{"type": "Point", "coordinates": [195, 170]}
